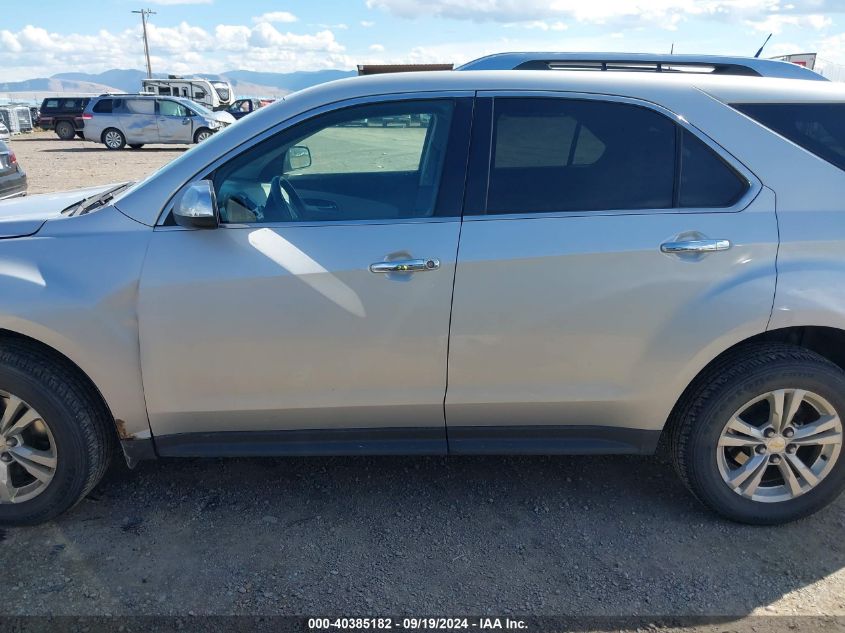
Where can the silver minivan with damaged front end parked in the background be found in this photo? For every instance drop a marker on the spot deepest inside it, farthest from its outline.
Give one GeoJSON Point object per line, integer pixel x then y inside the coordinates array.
{"type": "Point", "coordinates": [135, 120]}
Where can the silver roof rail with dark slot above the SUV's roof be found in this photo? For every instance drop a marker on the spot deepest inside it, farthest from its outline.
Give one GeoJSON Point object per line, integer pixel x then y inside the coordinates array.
{"type": "Point", "coordinates": [644, 62]}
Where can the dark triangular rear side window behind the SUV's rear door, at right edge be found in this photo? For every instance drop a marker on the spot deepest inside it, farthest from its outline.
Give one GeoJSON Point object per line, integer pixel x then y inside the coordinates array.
{"type": "Point", "coordinates": [817, 127]}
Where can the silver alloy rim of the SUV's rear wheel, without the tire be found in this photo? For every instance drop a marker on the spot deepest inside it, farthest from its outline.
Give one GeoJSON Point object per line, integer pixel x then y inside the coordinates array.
{"type": "Point", "coordinates": [780, 445]}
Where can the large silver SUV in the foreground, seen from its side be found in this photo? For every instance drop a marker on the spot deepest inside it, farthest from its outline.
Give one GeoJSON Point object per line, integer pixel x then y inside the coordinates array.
{"type": "Point", "coordinates": [596, 260]}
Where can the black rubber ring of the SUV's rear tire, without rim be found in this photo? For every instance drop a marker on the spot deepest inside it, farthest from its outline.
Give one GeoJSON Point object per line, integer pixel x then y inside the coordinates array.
{"type": "Point", "coordinates": [699, 419]}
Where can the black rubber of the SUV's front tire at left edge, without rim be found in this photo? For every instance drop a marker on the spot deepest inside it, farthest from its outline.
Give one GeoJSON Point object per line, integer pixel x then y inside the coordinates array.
{"type": "Point", "coordinates": [79, 421]}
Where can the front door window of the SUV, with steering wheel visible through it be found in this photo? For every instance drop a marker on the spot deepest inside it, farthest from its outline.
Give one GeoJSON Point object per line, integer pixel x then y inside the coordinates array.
{"type": "Point", "coordinates": [342, 166]}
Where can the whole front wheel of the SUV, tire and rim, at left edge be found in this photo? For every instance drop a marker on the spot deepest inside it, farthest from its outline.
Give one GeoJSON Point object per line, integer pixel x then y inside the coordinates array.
{"type": "Point", "coordinates": [55, 439]}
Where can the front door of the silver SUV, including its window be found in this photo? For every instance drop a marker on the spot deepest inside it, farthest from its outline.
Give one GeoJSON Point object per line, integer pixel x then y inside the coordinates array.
{"type": "Point", "coordinates": [316, 317]}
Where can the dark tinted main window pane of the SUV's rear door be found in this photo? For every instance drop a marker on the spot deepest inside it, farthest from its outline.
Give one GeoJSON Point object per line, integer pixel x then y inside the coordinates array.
{"type": "Point", "coordinates": [571, 155]}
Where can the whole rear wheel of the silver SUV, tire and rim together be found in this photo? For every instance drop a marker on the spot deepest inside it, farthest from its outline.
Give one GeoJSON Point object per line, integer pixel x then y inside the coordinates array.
{"type": "Point", "coordinates": [732, 389]}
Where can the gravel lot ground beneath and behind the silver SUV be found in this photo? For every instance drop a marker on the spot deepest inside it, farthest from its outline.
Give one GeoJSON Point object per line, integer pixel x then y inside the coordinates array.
{"type": "Point", "coordinates": [435, 536]}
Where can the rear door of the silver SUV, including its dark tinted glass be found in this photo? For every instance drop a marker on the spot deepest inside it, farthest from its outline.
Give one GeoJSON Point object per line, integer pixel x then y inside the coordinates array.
{"type": "Point", "coordinates": [607, 248]}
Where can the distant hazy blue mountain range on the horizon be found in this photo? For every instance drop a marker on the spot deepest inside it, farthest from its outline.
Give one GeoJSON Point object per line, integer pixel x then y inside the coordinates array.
{"type": "Point", "coordinates": [245, 82]}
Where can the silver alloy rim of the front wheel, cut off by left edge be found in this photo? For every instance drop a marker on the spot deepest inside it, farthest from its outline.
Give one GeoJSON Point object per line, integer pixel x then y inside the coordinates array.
{"type": "Point", "coordinates": [28, 456]}
